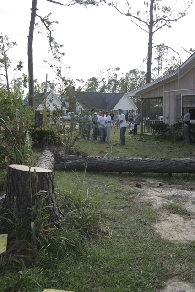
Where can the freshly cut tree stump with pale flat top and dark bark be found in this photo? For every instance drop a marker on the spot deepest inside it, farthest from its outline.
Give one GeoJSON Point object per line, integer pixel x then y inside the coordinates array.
{"type": "Point", "coordinates": [29, 190]}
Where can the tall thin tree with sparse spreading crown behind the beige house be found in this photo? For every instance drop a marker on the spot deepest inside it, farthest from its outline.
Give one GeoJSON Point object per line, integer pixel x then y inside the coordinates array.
{"type": "Point", "coordinates": [151, 17]}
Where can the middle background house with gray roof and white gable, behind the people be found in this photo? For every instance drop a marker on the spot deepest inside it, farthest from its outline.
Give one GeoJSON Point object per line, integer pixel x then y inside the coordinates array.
{"type": "Point", "coordinates": [103, 101]}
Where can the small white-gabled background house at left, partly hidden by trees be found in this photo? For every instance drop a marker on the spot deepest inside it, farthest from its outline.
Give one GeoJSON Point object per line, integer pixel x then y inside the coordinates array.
{"type": "Point", "coordinates": [48, 100]}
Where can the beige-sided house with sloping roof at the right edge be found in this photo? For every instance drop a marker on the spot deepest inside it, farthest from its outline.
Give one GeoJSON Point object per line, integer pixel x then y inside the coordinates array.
{"type": "Point", "coordinates": [172, 92]}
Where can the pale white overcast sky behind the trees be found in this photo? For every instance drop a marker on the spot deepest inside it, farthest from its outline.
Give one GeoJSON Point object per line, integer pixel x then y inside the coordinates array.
{"type": "Point", "coordinates": [94, 39]}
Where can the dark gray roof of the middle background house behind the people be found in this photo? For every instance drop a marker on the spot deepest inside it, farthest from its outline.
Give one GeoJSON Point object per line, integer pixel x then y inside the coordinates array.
{"type": "Point", "coordinates": [98, 100]}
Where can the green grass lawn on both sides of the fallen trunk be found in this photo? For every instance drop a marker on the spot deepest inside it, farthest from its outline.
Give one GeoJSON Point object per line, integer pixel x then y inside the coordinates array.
{"type": "Point", "coordinates": [124, 253]}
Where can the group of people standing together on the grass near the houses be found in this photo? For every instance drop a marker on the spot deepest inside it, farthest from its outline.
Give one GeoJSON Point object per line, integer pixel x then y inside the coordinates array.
{"type": "Point", "coordinates": [100, 124]}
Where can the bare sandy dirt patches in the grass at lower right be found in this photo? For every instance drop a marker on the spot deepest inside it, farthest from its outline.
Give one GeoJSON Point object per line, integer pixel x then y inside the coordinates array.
{"type": "Point", "coordinates": [171, 226]}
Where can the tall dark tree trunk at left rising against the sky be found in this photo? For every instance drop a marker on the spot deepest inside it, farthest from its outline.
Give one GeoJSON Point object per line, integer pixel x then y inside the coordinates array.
{"type": "Point", "coordinates": [30, 52]}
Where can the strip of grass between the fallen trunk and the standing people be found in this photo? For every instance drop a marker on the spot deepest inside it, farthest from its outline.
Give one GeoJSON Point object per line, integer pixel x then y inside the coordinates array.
{"type": "Point", "coordinates": [150, 146]}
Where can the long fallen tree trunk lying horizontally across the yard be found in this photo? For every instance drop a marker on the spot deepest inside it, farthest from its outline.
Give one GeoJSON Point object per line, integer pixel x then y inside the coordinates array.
{"type": "Point", "coordinates": [124, 164]}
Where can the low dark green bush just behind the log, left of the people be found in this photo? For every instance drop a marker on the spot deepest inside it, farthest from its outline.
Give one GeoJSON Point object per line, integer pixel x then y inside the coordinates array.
{"type": "Point", "coordinates": [45, 137]}
